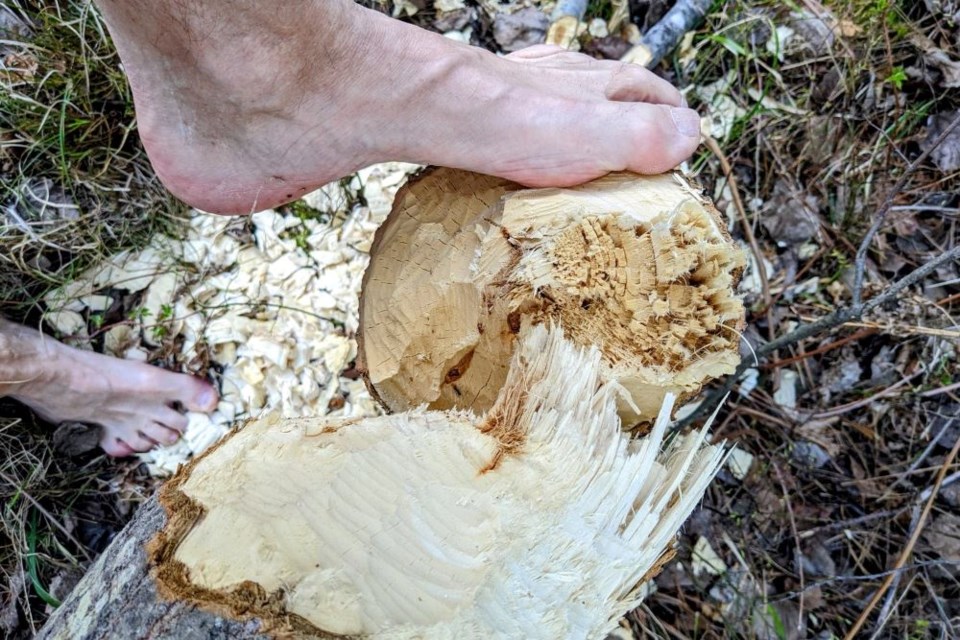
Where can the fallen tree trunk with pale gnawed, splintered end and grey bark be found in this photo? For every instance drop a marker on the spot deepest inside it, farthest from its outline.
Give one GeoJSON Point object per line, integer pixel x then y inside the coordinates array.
{"type": "Point", "coordinates": [540, 519]}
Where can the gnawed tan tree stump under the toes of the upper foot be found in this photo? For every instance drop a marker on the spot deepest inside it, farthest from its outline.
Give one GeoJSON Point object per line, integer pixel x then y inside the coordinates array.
{"type": "Point", "coordinates": [642, 267]}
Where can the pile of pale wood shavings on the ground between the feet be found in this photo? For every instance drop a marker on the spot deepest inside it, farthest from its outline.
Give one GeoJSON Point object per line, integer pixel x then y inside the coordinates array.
{"type": "Point", "coordinates": [275, 310]}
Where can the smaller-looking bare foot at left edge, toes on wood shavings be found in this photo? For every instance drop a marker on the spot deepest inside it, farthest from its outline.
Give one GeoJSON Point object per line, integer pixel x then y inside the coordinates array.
{"type": "Point", "coordinates": [130, 400]}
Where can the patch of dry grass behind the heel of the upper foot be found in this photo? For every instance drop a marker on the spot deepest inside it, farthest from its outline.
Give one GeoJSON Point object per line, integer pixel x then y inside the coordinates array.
{"type": "Point", "coordinates": [75, 184]}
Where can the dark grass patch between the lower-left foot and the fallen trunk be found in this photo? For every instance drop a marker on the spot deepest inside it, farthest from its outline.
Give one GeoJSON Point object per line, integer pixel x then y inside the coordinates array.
{"type": "Point", "coordinates": [58, 513]}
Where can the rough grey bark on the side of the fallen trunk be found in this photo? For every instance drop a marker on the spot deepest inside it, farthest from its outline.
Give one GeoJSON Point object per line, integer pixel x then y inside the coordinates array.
{"type": "Point", "coordinates": [117, 598]}
